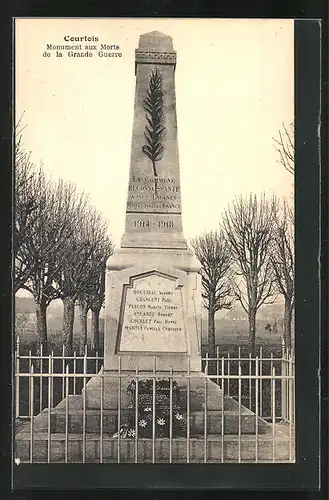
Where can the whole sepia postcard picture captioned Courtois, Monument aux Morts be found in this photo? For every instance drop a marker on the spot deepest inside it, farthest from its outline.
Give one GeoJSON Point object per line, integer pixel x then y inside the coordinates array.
{"type": "Point", "coordinates": [154, 241]}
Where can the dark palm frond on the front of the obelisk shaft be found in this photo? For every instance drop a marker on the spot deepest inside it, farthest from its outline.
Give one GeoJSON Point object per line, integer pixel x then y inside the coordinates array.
{"type": "Point", "coordinates": [154, 130]}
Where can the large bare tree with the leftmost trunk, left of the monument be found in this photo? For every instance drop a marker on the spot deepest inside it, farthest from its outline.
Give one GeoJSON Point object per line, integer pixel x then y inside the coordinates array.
{"type": "Point", "coordinates": [53, 225]}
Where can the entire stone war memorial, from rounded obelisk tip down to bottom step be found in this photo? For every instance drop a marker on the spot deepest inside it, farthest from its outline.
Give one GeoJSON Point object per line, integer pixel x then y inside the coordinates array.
{"type": "Point", "coordinates": [152, 322]}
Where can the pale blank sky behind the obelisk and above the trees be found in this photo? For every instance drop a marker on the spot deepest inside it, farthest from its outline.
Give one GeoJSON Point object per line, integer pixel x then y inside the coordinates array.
{"type": "Point", "coordinates": [234, 88]}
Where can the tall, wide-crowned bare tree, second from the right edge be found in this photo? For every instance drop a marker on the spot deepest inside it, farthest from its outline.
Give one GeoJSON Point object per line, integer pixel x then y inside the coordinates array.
{"type": "Point", "coordinates": [248, 227]}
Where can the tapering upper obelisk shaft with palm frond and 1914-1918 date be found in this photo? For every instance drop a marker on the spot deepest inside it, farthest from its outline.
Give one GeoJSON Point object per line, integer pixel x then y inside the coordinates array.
{"type": "Point", "coordinates": [154, 210]}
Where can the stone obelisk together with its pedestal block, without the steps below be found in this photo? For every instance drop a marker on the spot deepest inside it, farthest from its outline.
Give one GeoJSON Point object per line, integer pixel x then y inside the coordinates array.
{"type": "Point", "coordinates": [153, 285]}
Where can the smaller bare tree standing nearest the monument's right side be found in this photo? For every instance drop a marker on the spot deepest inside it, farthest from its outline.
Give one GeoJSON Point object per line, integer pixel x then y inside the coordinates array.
{"type": "Point", "coordinates": [213, 252]}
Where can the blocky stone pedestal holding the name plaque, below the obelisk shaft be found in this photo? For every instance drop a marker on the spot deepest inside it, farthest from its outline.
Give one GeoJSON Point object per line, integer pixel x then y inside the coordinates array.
{"type": "Point", "coordinates": [153, 310]}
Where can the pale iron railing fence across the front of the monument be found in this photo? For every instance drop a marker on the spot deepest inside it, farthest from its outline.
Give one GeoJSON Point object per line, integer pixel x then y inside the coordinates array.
{"type": "Point", "coordinates": [239, 409]}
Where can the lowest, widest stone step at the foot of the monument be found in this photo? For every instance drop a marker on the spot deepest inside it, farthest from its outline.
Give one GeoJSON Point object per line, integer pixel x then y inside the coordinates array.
{"type": "Point", "coordinates": [217, 449]}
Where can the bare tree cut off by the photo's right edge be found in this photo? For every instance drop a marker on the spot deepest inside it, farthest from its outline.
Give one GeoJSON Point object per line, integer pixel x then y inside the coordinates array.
{"type": "Point", "coordinates": [283, 262]}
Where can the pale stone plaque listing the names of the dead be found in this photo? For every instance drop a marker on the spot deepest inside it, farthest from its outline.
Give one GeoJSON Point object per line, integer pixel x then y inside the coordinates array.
{"type": "Point", "coordinates": [152, 315]}
